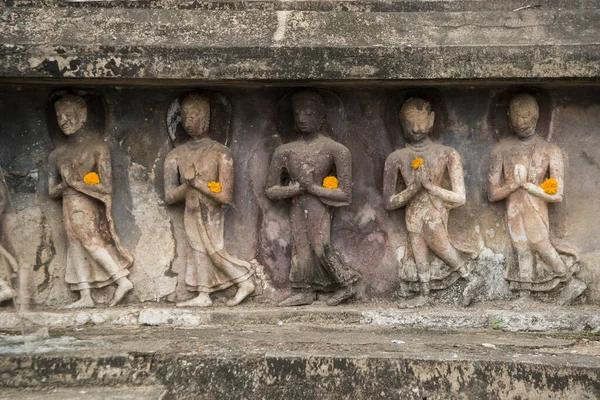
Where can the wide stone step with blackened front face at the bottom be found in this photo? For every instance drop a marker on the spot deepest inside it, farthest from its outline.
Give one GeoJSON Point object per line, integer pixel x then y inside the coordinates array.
{"type": "Point", "coordinates": [306, 361]}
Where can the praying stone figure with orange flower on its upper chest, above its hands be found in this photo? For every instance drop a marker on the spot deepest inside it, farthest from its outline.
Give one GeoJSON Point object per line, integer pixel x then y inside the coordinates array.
{"type": "Point", "coordinates": [431, 179]}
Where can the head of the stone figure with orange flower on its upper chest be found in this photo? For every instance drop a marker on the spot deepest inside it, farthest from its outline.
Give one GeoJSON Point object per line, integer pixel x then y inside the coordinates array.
{"type": "Point", "coordinates": [416, 118]}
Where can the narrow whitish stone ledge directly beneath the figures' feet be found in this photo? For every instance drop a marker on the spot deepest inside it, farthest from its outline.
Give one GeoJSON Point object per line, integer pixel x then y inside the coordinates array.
{"type": "Point", "coordinates": [569, 320]}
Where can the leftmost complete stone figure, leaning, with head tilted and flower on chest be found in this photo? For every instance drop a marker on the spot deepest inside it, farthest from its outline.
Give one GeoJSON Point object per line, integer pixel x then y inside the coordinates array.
{"type": "Point", "coordinates": [80, 173]}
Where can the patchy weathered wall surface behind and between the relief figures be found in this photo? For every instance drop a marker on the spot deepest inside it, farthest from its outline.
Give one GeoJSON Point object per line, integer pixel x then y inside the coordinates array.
{"type": "Point", "coordinates": [471, 118]}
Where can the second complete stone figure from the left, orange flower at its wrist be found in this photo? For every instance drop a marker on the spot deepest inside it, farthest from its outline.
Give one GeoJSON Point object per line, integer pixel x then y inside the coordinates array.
{"type": "Point", "coordinates": [200, 173]}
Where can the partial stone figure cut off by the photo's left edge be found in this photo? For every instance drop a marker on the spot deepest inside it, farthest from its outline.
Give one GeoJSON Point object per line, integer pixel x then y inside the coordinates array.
{"type": "Point", "coordinates": [8, 265]}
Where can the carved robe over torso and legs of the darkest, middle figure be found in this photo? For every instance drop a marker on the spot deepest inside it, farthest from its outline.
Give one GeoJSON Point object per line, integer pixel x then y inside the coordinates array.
{"type": "Point", "coordinates": [315, 264]}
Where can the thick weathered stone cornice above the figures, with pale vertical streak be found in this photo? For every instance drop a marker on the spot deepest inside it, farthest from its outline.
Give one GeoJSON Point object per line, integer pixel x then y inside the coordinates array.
{"type": "Point", "coordinates": [173, 44]}
